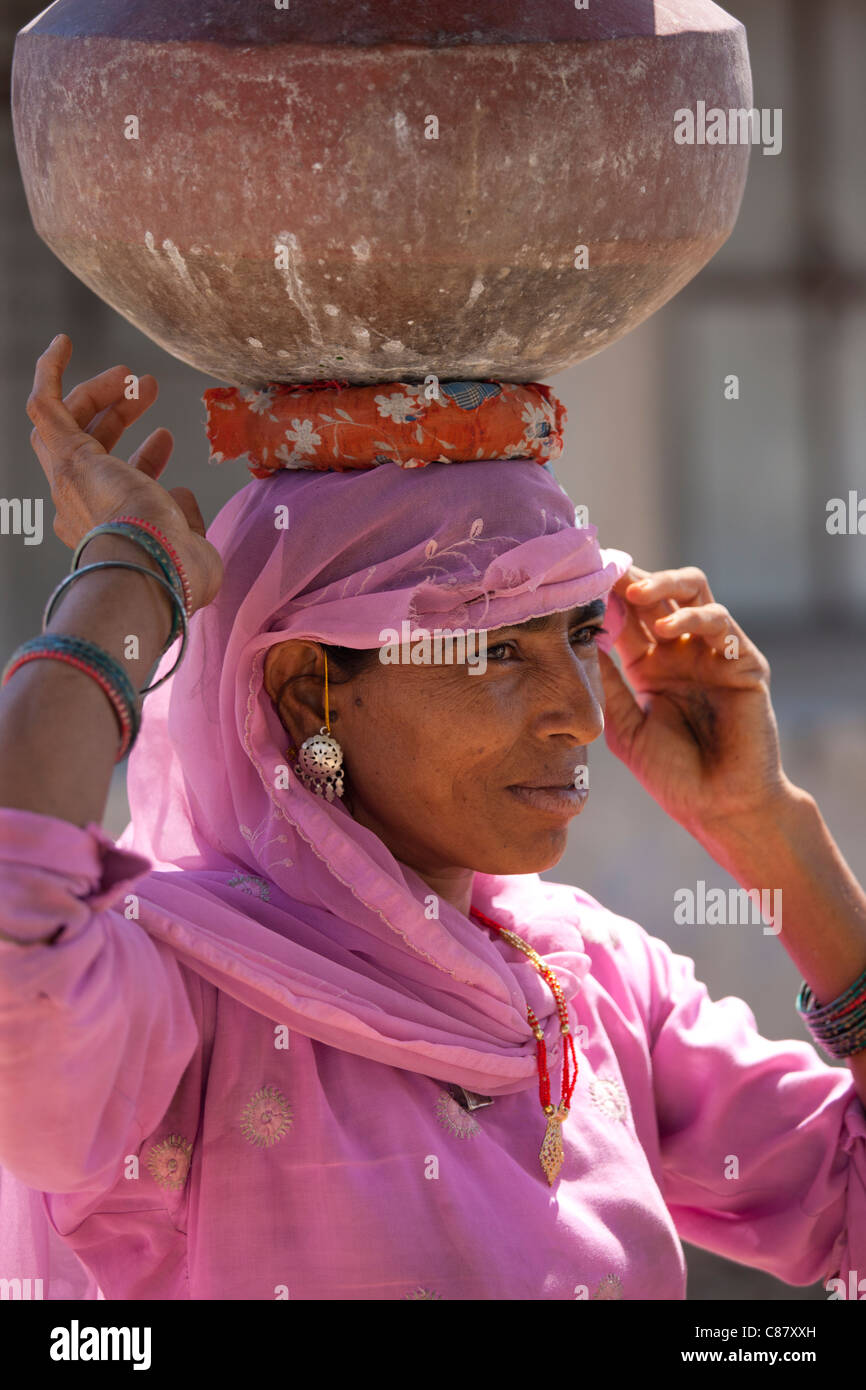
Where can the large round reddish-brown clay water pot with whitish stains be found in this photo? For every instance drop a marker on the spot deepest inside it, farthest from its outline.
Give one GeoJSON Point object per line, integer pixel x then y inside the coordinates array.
{"type": "Point", "coordinates": [471, 188]}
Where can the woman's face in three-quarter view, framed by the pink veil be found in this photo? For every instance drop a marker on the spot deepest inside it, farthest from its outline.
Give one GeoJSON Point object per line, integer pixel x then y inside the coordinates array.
{"type": "Point", "coordinates": [436, 755]}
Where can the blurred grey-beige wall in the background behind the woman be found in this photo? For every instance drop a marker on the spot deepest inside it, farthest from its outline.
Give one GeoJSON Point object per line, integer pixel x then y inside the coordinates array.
{"type": "Point", "coordinates": [668, 468]}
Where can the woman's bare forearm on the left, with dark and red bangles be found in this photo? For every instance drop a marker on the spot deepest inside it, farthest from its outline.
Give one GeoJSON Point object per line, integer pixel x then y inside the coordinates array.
{"type": "Point", "coordinates": [59, 733]}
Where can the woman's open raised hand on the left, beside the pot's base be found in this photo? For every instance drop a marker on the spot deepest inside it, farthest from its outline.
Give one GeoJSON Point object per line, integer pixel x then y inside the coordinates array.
{"type": "Point", "coordinates": [74, 437]}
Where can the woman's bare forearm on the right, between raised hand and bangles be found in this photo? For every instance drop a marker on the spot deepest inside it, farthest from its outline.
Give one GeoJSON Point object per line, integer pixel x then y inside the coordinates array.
{"type": "Point", "coordinates": [824, 907]}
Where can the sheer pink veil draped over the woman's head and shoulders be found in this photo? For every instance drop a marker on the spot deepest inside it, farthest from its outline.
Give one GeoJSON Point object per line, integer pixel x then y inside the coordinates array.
{"type": "Point", "coordinates": [284, 901]}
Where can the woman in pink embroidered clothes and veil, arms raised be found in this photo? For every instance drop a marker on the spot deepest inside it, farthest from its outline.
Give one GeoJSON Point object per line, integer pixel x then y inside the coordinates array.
{"type": "Point", "coordinates": [275, 1045]}
